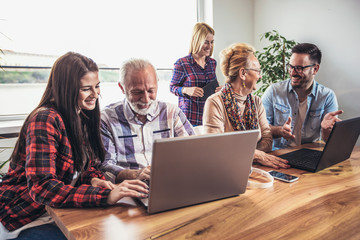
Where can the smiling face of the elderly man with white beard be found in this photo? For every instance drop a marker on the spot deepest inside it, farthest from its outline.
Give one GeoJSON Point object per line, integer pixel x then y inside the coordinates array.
{"type": "Point", "coordinates": [141, 89]}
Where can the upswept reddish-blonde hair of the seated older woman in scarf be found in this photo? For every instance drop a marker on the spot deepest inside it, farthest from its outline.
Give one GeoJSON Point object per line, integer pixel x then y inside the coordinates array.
{"type": "Point", "coordinates": [233, 58]}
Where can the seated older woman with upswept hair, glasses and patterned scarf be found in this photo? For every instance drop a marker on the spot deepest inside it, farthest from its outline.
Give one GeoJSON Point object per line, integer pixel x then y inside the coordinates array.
{"type": "Point", "coordinates": [234, 108]}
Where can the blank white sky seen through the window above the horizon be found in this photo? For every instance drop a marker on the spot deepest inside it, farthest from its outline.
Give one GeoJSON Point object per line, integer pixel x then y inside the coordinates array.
{"type": "Point", "coordinates": [107, 31]}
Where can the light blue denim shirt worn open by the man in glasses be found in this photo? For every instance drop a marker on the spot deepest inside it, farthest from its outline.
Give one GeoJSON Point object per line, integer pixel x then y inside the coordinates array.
{"type": "Point", "coordinates": [281, 101]}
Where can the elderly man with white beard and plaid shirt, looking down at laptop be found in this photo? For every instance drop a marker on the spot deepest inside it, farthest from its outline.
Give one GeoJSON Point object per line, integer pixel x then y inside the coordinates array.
{"type": "Point", "coordinates": [129, 127]}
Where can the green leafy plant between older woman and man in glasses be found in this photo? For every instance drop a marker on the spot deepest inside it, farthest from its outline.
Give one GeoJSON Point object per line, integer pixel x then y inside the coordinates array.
{"type": "Point", "coordinates": [273, 59]}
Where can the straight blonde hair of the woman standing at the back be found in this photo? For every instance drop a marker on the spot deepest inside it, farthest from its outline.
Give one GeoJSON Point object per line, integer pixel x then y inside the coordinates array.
{"type": "Point", "coordinates": [200, 31]}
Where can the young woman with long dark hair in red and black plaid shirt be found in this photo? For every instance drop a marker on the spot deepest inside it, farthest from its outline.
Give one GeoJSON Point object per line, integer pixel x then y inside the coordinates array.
{"type": "Point", "coordinates": [55, 159]}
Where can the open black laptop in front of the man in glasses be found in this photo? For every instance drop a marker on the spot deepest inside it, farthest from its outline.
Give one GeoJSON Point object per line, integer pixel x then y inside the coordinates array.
{"type": "Point", "coordinates": [338, 148]}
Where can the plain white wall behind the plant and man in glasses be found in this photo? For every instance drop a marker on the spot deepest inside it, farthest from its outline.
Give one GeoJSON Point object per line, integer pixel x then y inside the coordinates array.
{"type": "Point", "coordinates": [333, 25]}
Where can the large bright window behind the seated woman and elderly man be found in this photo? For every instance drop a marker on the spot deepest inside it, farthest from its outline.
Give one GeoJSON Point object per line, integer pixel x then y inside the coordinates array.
{"type": "Point", "coordinates": [36, 32]}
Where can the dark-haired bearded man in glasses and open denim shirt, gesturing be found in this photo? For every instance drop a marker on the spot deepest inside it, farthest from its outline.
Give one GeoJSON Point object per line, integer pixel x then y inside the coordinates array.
{"type": "Point", "coordinates": [300, 109]}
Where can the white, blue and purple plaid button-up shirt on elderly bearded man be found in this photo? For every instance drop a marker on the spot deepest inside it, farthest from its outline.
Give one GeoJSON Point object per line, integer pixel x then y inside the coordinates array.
{"type": "Point", "coordinates": [128, 142]}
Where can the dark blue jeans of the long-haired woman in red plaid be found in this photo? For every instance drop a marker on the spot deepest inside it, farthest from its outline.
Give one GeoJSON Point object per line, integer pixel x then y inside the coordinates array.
{"type": "Point", "coordinates": [47, 231]}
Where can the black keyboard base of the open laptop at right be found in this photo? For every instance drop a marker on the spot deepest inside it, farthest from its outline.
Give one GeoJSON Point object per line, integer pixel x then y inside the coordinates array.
{"type": "Point", "coordinates": [303, 158]}
